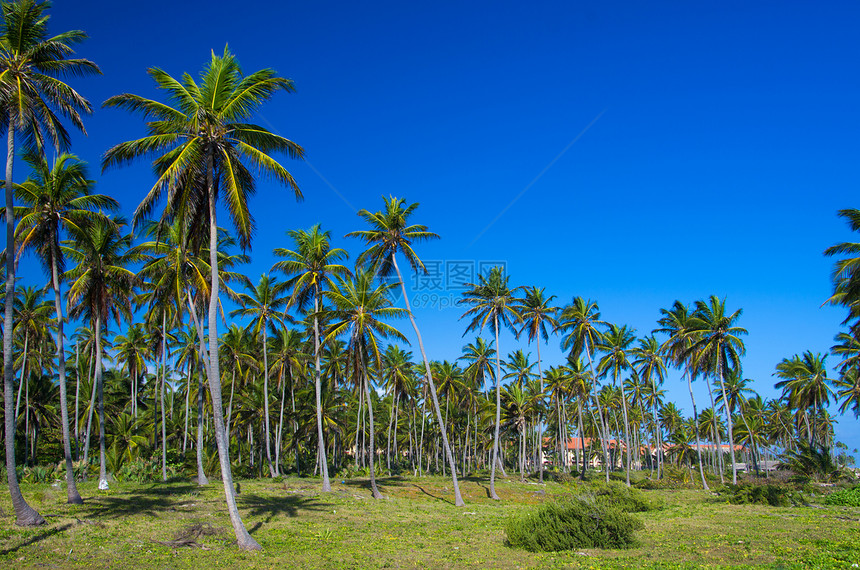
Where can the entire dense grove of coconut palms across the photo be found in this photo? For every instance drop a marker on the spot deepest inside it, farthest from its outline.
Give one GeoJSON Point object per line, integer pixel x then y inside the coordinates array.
{"type": "Point", "coordinates": [313, 374]}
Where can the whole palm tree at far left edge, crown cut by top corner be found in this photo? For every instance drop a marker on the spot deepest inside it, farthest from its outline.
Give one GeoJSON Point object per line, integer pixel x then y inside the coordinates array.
{"type": "Point", "coordinates": [34, 97]}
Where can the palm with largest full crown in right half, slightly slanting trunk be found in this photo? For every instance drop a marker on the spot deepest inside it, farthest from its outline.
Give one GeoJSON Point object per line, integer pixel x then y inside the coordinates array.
{"type": "Point", "coordinates": [718, 348]}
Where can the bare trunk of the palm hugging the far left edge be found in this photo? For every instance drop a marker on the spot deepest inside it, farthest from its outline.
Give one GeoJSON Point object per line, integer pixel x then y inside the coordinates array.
{"type": "Point", "coordinates": [25, 515]}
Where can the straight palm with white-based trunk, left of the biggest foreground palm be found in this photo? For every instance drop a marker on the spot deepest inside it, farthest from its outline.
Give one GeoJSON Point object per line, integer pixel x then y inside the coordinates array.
{"type": "Point", "coordinates": [100, 289]}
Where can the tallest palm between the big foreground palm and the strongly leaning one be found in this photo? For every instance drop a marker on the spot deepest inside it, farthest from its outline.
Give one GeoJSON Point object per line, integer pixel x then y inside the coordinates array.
{"type": "Point", "coordinates": [311, 268]}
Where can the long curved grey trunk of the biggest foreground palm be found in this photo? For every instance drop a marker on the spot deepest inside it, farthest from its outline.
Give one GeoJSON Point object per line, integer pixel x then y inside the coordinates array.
{"type": "Point", "coordinates": [244, 539]}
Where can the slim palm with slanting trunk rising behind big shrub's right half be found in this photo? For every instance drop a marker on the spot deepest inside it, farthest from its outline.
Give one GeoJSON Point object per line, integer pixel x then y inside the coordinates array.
{"type": "Point", "coordinates": [579, 322]}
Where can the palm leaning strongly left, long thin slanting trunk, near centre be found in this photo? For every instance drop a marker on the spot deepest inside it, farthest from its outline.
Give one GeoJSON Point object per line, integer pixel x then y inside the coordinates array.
{"type": "Point", "coordinates": [391, 233]}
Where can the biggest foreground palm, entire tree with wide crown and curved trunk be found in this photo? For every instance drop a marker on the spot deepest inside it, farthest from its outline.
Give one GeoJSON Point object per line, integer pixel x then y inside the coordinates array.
{"type": "Point", "coordinates": [203, 147]}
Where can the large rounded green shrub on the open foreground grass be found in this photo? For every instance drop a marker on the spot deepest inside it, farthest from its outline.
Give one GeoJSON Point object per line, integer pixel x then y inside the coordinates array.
{"type": "Point", "coordinates": [575, 522]}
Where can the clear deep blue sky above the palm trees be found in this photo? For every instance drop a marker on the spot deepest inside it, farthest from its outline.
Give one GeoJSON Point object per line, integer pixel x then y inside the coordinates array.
{"type": "Point", "coordinates": [630, 153]}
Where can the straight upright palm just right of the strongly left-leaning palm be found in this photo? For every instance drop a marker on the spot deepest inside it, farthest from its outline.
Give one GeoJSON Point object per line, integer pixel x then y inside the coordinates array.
{"type": "Point", "coordinates": [493, 303]}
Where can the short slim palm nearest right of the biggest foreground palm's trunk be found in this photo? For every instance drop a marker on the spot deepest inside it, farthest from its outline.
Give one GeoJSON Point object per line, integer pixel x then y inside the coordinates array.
{"type": "Point", "coordinates": [264, 303]}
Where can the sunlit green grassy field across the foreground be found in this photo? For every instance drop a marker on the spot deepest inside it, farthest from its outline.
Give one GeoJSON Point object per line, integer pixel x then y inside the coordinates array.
{"type": "Point", "coordinates": [415, 526]}
